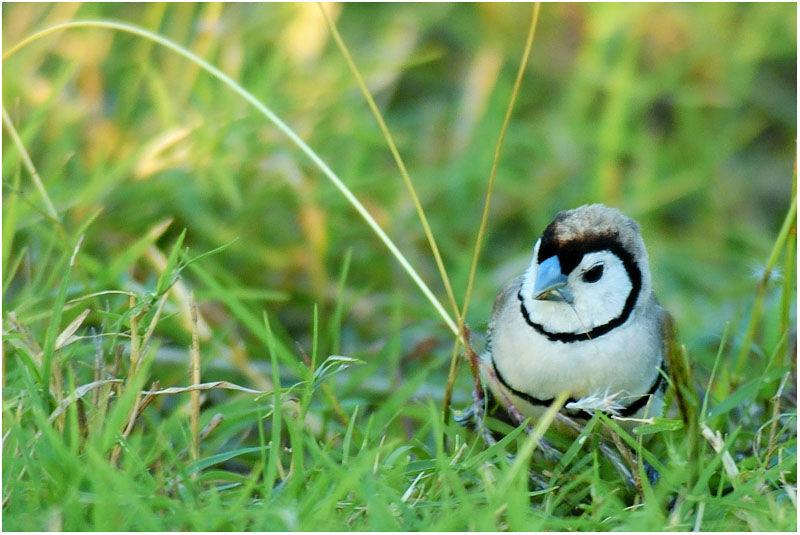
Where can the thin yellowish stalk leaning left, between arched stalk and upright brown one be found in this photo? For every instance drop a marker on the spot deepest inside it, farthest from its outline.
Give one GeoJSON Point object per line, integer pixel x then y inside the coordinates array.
{"type": "Point", "coordinates": [396, 154]}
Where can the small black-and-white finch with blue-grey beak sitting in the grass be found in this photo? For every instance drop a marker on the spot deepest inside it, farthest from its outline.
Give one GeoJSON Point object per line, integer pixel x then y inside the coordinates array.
{"type": "Point", "coordinates": [582, 318]}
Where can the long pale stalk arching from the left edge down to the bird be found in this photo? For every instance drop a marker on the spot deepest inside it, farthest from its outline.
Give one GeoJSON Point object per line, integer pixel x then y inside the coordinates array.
{"type": "Point", "coordinates": [264, 110]}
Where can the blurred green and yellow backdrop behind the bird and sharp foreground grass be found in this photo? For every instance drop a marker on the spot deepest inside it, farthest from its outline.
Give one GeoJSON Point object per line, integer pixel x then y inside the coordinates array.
{"type": "Point", "coordinates": [682, 115]}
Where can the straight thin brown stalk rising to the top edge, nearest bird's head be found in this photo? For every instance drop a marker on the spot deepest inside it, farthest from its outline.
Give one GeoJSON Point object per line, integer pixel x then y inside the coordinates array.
{"type": "Point", "coordinates": [451, 377]}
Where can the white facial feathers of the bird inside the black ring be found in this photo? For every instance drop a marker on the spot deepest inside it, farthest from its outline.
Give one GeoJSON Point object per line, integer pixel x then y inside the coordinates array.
{"type": "Point", "coordinates": [599, 286]}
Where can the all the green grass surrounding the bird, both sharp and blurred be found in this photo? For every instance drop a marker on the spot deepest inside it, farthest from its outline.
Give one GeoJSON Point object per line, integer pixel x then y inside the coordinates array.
{"type": "Point", "coordinates": [159, 182]}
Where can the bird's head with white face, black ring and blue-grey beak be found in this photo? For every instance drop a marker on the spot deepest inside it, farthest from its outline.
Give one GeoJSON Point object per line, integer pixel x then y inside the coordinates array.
{"type": "Point", "coordinates": [589, 269]}
